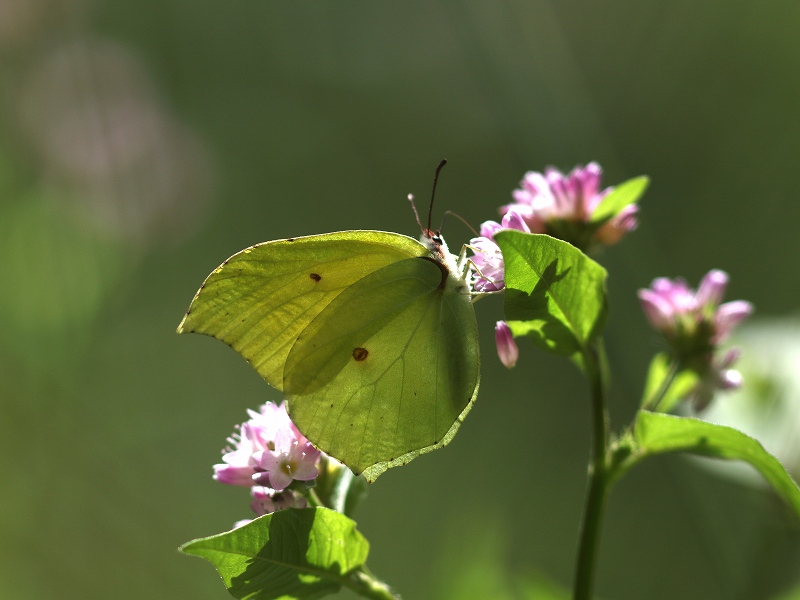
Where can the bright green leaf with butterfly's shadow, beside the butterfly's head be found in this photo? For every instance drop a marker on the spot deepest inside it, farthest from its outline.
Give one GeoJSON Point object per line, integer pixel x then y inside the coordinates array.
{"type": "Point", "coordinates": [555, 294]}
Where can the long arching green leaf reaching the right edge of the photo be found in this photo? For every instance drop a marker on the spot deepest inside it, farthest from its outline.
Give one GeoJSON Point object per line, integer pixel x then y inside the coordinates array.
{"type": "Point", "coordinates": [659, 433]}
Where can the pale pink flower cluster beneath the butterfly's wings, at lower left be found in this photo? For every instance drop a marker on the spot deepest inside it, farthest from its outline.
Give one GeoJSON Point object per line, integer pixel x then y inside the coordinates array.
{"type": "Point", "coordinates": [267, 454]}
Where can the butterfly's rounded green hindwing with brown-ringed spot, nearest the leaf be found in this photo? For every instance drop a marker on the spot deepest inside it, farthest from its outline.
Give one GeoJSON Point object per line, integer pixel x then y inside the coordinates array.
{"type": "Point", "coordinates": [388, 370]}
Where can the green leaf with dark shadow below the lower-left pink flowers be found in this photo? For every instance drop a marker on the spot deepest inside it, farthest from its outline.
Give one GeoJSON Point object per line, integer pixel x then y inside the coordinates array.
{"type": "Point", "coordinates": [289, 554]}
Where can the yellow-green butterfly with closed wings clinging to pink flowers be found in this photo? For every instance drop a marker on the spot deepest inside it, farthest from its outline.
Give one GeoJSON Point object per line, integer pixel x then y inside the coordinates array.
{"type": "Point", "coordinates": [371, 336]}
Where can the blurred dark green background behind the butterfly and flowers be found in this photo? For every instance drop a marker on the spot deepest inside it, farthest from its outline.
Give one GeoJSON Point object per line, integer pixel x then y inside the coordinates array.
{"type": "Point", "coordinates": [141, 143]}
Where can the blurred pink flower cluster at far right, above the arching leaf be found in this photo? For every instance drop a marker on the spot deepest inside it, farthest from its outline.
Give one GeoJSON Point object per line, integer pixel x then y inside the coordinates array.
{"type": "Point", "coordinates": [695, 323]}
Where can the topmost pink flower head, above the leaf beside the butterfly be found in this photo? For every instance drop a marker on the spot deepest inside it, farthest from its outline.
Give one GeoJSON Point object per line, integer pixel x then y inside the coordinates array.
{"type": "Point", "coordinates": [563, 205]}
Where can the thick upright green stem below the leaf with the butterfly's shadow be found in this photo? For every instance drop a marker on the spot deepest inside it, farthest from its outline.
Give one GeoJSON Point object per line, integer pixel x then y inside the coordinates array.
{"type": "Point", "coordinates": [598, 480]}
